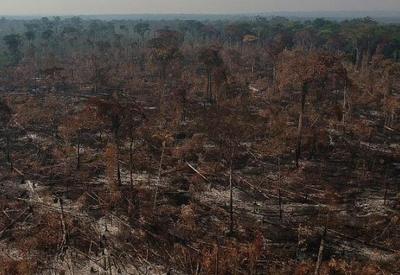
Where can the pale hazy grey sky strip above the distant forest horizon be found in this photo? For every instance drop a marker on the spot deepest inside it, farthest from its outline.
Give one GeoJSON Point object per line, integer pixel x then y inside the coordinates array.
{"type": "Point", "coordinates": [188, 6]}
